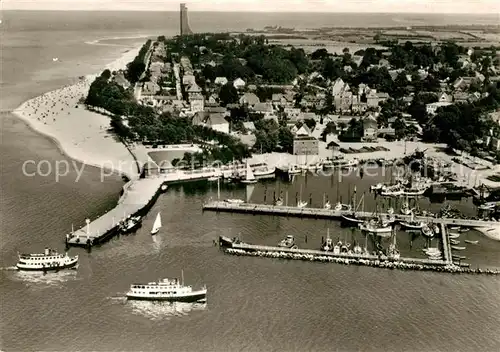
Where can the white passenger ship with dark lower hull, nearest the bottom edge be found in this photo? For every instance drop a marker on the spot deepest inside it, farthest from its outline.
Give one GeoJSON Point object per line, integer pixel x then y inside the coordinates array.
{"type": "Point", "coordinates": [166, 290]}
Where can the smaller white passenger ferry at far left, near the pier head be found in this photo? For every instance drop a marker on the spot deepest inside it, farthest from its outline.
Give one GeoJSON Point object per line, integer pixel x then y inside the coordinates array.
{"type": "Point", "coordinates": [49, 260]}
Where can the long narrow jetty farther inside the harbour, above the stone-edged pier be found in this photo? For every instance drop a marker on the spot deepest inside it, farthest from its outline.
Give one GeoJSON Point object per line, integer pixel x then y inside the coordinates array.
{"type": "Point", "coordinates": [321, 213]}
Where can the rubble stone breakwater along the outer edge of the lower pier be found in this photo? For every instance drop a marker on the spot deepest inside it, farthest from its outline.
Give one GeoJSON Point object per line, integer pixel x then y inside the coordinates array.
{"type": "Point", "coordinates": [379, 263]}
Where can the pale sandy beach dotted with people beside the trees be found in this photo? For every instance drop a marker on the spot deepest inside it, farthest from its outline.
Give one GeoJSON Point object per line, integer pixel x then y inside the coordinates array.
{"type": "Point", "coordinates": [79, 133]}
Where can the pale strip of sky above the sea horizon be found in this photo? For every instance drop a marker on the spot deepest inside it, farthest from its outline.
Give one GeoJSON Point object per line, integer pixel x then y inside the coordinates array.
{"type": "Point", "coordinates": [401, 6]}
